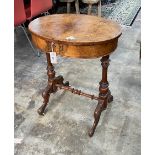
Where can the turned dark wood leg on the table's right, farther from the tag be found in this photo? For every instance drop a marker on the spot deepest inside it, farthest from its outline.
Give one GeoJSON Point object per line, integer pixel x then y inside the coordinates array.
{"type": "Point", "coordinates": [104, 94]}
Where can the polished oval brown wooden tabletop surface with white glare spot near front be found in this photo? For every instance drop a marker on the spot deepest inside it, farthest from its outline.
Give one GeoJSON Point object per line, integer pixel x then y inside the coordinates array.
{"type": "Point", "coordinates": [74, 30]}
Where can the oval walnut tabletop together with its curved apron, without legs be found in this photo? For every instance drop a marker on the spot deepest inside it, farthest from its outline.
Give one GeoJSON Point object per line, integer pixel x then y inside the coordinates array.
{"type": "Point", "coordinates": [81, 36]}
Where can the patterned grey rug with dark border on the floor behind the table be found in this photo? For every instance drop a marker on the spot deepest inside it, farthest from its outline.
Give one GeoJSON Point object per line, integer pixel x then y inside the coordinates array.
{"type": "Point", "coordinates": [121, 11]}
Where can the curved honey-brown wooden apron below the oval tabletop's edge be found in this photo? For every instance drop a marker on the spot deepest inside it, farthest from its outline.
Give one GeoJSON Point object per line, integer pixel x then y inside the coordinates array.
{"type": "Point", "coordinates": [76, 51]}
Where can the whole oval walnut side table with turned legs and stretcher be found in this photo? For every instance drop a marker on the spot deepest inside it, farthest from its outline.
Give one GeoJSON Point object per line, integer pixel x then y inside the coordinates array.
{"type": "Point", "coordinates": [76, 36]}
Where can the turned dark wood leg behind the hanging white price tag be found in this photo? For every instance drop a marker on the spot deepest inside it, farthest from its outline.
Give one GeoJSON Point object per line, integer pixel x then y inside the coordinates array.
{"type": "Point", "coordinates": [49, 89]}
